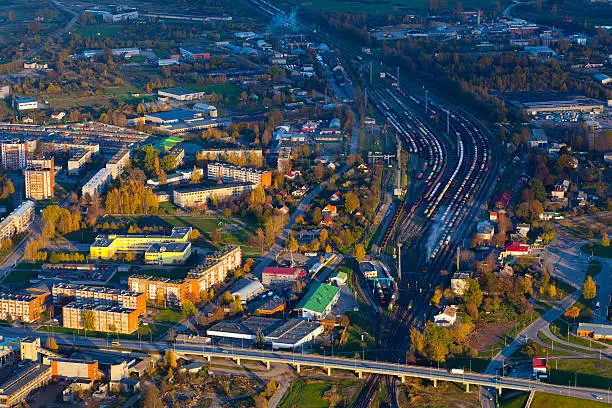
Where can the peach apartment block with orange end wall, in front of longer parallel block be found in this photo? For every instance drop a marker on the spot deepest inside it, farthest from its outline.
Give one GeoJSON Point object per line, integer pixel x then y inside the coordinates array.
{"type": "Point", "coordinates": [105, 318]}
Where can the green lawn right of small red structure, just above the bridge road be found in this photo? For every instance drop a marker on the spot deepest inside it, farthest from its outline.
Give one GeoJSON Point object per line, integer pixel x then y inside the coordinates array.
{"type": "Point", "coordinates": [589, 373]}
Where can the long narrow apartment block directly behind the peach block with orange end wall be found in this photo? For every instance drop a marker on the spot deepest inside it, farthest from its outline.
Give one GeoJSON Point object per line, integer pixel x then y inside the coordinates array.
{"type": "Point", "coordinates": [64, 293]}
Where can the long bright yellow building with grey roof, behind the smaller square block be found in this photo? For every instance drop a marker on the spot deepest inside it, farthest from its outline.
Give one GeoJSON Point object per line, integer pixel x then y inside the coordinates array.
{"type": "Point", "coordinates": [106, 246]}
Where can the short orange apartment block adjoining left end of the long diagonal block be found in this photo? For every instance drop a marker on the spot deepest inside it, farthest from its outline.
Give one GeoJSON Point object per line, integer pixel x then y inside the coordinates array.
{"type": "Point", "coordinates": [172, 291]}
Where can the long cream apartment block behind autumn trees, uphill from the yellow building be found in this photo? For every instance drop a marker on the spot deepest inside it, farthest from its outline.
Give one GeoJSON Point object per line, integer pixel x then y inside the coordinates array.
{"type": "Point", "coordinates": [196, 196]}
